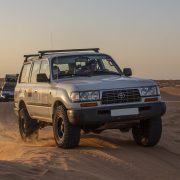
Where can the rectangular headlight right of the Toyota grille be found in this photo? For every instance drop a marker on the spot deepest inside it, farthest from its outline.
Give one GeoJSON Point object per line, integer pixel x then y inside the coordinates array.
{"type": "Point", "coordinates": [149, 91]}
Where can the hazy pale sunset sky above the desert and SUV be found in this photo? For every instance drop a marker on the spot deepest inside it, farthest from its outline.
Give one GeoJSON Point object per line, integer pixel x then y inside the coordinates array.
{"type": "Point", "coordinates": [141, 34]}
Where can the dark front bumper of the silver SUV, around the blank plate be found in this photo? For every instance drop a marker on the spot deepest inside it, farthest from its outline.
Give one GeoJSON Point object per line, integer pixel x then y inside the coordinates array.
{"type": "Point", "coordinates": [102, 115]}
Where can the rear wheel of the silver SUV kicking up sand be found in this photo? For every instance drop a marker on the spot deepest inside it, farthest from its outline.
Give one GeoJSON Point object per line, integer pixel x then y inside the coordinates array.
{"type": "Point", "coordinates": [28, 128]}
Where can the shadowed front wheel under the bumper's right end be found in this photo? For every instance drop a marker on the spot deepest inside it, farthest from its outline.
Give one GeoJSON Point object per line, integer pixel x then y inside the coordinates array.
{"type": "Point", "coordinates": [148, 133]}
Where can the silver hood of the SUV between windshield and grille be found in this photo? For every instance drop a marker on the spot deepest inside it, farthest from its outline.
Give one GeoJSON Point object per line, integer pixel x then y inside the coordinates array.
{"type": "Point", "coordinates": [102, 83]}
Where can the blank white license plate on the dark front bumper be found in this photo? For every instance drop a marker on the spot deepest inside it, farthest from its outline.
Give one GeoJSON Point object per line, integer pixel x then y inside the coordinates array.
{"type": "Point", "coordinates": [124, 112]}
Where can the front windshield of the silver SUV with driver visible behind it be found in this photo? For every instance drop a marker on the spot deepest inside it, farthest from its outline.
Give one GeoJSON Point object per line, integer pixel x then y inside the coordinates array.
{"type": "Point", "coordinates": [83, 66]}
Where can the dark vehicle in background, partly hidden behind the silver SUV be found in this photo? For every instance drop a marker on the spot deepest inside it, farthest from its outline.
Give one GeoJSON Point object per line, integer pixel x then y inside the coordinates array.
{"type": "Point", "coordinates": [7, 90]}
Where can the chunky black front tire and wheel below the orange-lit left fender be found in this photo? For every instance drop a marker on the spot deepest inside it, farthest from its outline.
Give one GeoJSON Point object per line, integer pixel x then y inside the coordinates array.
{"type": "Point", "coordinates": [66, 135]}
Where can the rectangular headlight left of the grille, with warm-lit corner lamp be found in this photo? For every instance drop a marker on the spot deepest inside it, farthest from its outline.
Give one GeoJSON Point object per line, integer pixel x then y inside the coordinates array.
{"type": "Point", "coordinates": [85, 96]}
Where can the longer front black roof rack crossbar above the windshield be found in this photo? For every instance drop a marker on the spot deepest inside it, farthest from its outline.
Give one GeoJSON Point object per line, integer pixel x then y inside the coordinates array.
{"type": "Point", "coordinates": [42, 53]}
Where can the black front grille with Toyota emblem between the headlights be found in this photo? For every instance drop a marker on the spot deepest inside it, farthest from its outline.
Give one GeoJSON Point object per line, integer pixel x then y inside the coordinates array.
{"type": "Point", "coordinates": [121, 96]}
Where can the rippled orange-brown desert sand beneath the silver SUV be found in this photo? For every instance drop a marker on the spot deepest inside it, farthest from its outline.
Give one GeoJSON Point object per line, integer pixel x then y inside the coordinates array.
{"type": "Point", "coordinates": [111, 155]}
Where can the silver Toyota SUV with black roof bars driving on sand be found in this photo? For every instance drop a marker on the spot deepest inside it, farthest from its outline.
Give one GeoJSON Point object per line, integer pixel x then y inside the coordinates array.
{"type": "Point", "coordinates": [83, 89]}
